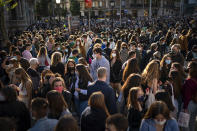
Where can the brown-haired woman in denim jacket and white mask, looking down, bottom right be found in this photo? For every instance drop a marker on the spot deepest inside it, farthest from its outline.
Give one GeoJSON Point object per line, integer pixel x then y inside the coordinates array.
{"type": "Point", "coordinates": [158, 118]}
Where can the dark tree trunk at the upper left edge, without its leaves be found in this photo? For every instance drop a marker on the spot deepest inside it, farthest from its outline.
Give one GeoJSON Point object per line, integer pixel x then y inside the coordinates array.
{"type": "Point", "coordinates": [3, 30]}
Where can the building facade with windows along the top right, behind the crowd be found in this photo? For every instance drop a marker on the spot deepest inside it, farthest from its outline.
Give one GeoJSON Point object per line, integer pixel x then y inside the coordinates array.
{"type": "Point", "coordinates": [133, 8]}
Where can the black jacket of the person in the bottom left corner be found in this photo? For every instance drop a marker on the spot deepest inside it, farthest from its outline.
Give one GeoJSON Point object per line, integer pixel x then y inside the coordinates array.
{"type": "Point", "coordinates": [18, 111]}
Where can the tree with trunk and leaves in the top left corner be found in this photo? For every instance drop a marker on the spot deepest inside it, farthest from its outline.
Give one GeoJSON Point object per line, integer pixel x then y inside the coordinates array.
{"type": "Point", "coordinates": [8, 5]}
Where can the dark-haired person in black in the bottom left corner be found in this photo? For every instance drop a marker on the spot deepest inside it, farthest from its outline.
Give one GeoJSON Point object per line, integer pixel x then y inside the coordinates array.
{"type": "Point", "coordinates": [12, 108]}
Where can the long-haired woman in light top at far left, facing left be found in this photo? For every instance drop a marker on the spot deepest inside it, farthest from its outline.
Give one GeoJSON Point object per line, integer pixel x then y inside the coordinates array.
{"type": "Point", "coordinates": [25, 87]}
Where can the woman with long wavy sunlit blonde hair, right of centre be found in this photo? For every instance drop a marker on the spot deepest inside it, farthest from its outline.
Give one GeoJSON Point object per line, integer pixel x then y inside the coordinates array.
{"type": "Point", "coordinates": [150, 76]}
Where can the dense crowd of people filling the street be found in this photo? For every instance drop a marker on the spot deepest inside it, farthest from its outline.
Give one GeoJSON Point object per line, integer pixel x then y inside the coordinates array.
{"type": "Point", "coordinates": [138, 77]}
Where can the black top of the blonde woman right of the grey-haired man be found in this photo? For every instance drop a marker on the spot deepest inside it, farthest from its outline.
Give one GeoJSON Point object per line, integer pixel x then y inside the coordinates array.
{"type": "Point", "coordinates": [59, 68]}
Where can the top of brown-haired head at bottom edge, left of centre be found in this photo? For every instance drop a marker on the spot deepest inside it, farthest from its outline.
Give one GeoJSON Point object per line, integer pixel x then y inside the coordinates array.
{"type": "Point", "coordinates": [67, 123]}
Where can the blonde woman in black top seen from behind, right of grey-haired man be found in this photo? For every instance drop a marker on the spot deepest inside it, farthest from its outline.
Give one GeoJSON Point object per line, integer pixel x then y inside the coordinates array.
{"type": "Point", "coordinates": [56, 64]}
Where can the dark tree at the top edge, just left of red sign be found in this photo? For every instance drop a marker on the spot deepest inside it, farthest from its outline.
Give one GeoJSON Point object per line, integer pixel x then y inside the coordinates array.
{"type": "Point", "coordinates": [75, 7]}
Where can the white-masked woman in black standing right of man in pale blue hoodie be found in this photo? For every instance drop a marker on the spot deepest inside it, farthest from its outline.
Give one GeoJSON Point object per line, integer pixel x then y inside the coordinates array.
{"type": "Point", "coordinates": [115, 70]}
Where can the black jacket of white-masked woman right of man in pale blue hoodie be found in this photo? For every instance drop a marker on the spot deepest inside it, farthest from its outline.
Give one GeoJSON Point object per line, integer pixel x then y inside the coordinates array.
{"type": "Point", "coordinates": [115, 72]}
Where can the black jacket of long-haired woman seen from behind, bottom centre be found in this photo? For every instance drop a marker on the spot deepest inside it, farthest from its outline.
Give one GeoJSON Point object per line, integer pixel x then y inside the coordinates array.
{"type": "Point", "coordinates": [93, 119]}
